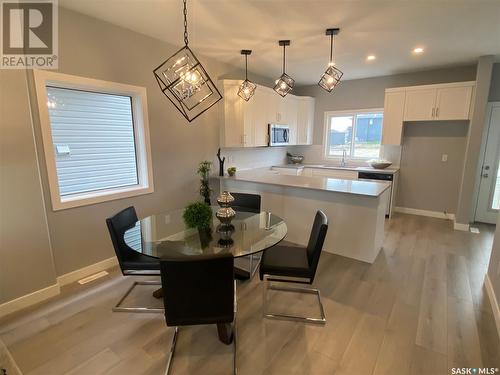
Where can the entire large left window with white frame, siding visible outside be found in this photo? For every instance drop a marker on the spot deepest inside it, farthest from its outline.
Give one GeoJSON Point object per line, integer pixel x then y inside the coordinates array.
{"type": "Point", "coordinates": [95, 137]}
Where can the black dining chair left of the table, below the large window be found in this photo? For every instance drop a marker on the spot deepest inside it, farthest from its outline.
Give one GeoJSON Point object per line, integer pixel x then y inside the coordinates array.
{"type": "Point", "coordinates": [131, 262]}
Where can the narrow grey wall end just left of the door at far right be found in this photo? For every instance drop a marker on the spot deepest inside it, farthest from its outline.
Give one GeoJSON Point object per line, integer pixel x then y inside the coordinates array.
{"type": "Point", "coordinates": [465, 209]}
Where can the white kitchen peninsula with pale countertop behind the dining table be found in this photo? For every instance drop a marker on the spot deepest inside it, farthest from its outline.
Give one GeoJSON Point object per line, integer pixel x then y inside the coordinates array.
{"type": "Point", "coordinates": [355, 208]}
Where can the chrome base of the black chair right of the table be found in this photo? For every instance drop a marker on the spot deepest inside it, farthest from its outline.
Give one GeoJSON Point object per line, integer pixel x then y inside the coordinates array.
{"type": "Point", "coordinates": [268, 285]}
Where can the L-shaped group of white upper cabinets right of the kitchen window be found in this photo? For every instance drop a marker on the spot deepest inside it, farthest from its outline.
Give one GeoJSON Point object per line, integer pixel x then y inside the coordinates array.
{"type": "Point", "coordinates": [447, 101]}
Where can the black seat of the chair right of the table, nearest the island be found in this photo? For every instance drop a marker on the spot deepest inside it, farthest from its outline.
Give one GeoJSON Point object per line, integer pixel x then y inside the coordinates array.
{"type": "Point", "coordinates": [283, 260]}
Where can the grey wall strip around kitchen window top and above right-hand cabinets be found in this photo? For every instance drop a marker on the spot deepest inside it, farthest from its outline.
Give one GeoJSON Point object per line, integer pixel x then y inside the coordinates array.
{"type": "Point", "coordinates": [369, 92]}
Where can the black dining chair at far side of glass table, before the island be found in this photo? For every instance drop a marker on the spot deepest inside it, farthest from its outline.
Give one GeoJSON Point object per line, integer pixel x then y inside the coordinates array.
{"type": "Point", "coordinates": [245, 202]}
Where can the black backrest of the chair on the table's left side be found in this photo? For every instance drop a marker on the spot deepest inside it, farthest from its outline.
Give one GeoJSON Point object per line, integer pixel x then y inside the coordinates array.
{"type": "Point", "coordinates": [117, 225]}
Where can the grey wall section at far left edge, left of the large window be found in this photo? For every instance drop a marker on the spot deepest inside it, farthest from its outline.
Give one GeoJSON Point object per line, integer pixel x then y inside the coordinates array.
{"type": "Point", "coordinates": [26, 261]}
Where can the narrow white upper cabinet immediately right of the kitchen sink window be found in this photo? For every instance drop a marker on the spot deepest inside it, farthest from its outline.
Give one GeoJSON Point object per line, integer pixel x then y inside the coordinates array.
{"type": "Point", "coordinates": [393, 117]}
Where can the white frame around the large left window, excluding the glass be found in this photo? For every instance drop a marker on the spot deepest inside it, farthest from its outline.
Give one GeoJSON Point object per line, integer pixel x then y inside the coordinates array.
{"type": "Point", "coordinates": [140, 122]}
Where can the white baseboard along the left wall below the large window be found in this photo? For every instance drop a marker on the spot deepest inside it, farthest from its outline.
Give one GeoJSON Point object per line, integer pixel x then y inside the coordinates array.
{"type": "Point", "coordinates": [53, 290]}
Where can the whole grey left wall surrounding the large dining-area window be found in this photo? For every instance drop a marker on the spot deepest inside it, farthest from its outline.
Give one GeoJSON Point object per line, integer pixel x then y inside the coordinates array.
{"type": "Point", "coordinates": [78, 236]}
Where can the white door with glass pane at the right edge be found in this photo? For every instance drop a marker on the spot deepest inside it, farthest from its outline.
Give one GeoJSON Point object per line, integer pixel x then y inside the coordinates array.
{"type": "Point", "coordinates": [488, 201]}
